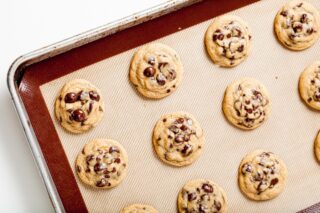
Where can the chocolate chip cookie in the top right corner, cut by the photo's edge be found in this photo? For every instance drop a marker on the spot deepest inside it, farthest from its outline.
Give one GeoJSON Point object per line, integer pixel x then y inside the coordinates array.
{"type": "Point", "coordinates": [297, 25]}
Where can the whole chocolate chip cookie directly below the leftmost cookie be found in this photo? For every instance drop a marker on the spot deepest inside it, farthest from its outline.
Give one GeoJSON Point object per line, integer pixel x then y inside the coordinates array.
{"type": "Point", "coordinates": [102, 163]}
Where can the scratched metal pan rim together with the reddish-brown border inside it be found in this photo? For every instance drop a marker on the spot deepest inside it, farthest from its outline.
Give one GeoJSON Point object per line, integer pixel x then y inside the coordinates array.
{"type": "Point", "coordinates": [28, 72]}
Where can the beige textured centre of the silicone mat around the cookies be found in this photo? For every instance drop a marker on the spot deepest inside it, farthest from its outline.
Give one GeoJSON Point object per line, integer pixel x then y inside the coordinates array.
{"type": "Point", "coordinates": [129, 118]}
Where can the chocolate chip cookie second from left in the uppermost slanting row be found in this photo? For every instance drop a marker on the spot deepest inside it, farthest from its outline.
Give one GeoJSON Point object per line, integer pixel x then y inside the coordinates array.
{"type": "Point", "coordinates": [156, 70]}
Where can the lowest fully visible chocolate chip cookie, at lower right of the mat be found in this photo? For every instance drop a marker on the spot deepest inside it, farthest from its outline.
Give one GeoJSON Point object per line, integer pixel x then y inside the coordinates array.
{"type": "Point", "coordinates": [262, 175]}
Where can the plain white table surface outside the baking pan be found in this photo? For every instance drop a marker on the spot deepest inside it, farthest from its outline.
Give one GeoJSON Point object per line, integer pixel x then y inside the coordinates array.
{"type": "Point", "coordinates": [26, 26]}
